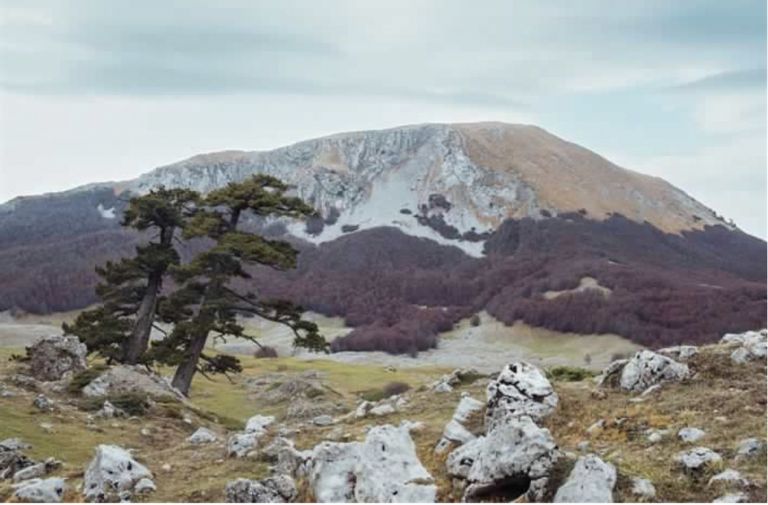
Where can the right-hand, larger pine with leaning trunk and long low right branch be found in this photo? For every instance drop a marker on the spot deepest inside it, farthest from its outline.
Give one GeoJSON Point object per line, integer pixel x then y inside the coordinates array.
{"type": "Point", "coordinates": [206, 303]}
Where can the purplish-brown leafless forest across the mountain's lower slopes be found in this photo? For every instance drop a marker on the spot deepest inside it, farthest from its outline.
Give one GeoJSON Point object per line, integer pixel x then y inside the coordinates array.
{"type": "Point", "coordinates": [399, 291]}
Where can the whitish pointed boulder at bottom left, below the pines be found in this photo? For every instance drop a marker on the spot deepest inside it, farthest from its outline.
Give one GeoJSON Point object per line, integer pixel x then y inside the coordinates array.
{"type": "Point", "coordinates": [113, 475]}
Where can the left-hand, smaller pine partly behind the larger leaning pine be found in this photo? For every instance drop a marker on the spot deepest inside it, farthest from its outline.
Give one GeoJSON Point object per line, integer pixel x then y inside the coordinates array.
{"type": "Point", "coordinates": [129, 290]}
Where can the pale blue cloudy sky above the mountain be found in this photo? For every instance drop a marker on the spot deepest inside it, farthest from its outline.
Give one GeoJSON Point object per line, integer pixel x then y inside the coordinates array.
{"type": "Point", "coordinates": [106, 90]}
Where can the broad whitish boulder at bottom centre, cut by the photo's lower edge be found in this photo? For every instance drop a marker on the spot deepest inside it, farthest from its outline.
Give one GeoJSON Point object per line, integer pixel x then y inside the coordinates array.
{"type": "Point", "coordinates": [383, 468]}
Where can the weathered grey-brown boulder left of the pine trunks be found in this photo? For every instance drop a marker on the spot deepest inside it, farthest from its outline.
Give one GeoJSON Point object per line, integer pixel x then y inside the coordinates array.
{"type": "Point", "coordinates": [52, 357]}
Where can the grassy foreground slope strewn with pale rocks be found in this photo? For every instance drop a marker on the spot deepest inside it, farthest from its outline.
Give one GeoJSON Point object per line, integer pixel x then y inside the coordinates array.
{"type": "Point", "coordinates": [684, 424]}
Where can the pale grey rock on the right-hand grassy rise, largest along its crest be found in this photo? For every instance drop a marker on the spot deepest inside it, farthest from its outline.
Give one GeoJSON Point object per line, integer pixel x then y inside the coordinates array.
{"type": "Point", "coordinates": [641, 371]}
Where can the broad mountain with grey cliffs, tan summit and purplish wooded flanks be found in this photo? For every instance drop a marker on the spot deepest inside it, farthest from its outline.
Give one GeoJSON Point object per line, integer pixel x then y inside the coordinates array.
{"type": "Point", "coordinates": [424, 225]}
